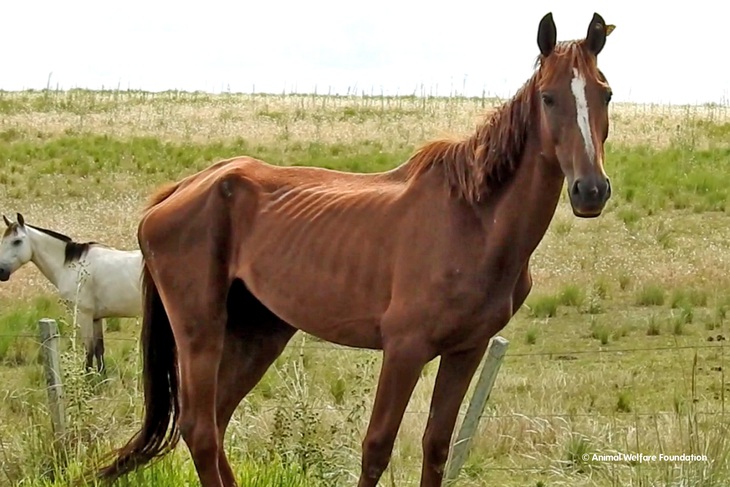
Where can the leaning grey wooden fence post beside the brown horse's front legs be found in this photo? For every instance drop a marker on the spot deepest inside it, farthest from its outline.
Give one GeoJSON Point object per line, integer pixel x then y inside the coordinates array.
{"type": "Point", "coordinates": [460, 449]}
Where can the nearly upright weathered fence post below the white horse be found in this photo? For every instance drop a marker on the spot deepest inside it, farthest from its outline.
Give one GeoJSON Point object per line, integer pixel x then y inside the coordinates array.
{"type": "Point", "coordinates": [52, 364]}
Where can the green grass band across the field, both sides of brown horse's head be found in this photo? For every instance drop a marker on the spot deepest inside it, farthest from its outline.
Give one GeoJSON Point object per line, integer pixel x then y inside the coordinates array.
{"type": "Point", "coordinates": [649, 179]}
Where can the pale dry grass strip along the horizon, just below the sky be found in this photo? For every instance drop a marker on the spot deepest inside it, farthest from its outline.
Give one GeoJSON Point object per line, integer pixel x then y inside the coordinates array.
{"type": "Point", "coordinates": [267, 119]}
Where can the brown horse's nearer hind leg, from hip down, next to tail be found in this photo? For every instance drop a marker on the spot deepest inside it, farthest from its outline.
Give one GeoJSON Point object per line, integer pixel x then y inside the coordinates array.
{"type": "Point", "coordinates": [196, 303]}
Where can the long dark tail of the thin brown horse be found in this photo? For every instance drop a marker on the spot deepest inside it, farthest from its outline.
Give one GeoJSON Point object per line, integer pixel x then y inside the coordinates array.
{"type": "Point", "coordinates": [160, 432]}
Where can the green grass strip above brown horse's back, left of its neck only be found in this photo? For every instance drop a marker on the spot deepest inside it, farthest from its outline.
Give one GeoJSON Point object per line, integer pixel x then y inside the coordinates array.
{"type": "Point", "coordinates": [48, 168]}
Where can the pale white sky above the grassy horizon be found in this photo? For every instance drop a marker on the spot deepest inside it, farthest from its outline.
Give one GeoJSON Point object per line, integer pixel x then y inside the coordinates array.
{"type": "Point", "coordinates": [658, 53]}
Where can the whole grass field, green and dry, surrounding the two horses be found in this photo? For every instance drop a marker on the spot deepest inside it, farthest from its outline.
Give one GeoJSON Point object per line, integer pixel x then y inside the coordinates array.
{"type": "Point", "coordinates": [619, 348]}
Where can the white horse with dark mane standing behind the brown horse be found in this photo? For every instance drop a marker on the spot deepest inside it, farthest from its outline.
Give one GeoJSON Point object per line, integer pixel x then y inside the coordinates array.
{"type": "Point", "coordinates": [101, 282]}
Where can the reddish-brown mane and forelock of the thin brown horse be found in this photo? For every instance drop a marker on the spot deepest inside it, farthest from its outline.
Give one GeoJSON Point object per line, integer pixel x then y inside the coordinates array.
{"type": "Point", "coordinates": [483, 162]}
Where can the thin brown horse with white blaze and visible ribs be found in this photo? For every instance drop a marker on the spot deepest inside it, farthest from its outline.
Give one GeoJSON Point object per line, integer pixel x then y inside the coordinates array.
{"type": "Point", "coordinates": [428, 259]}
